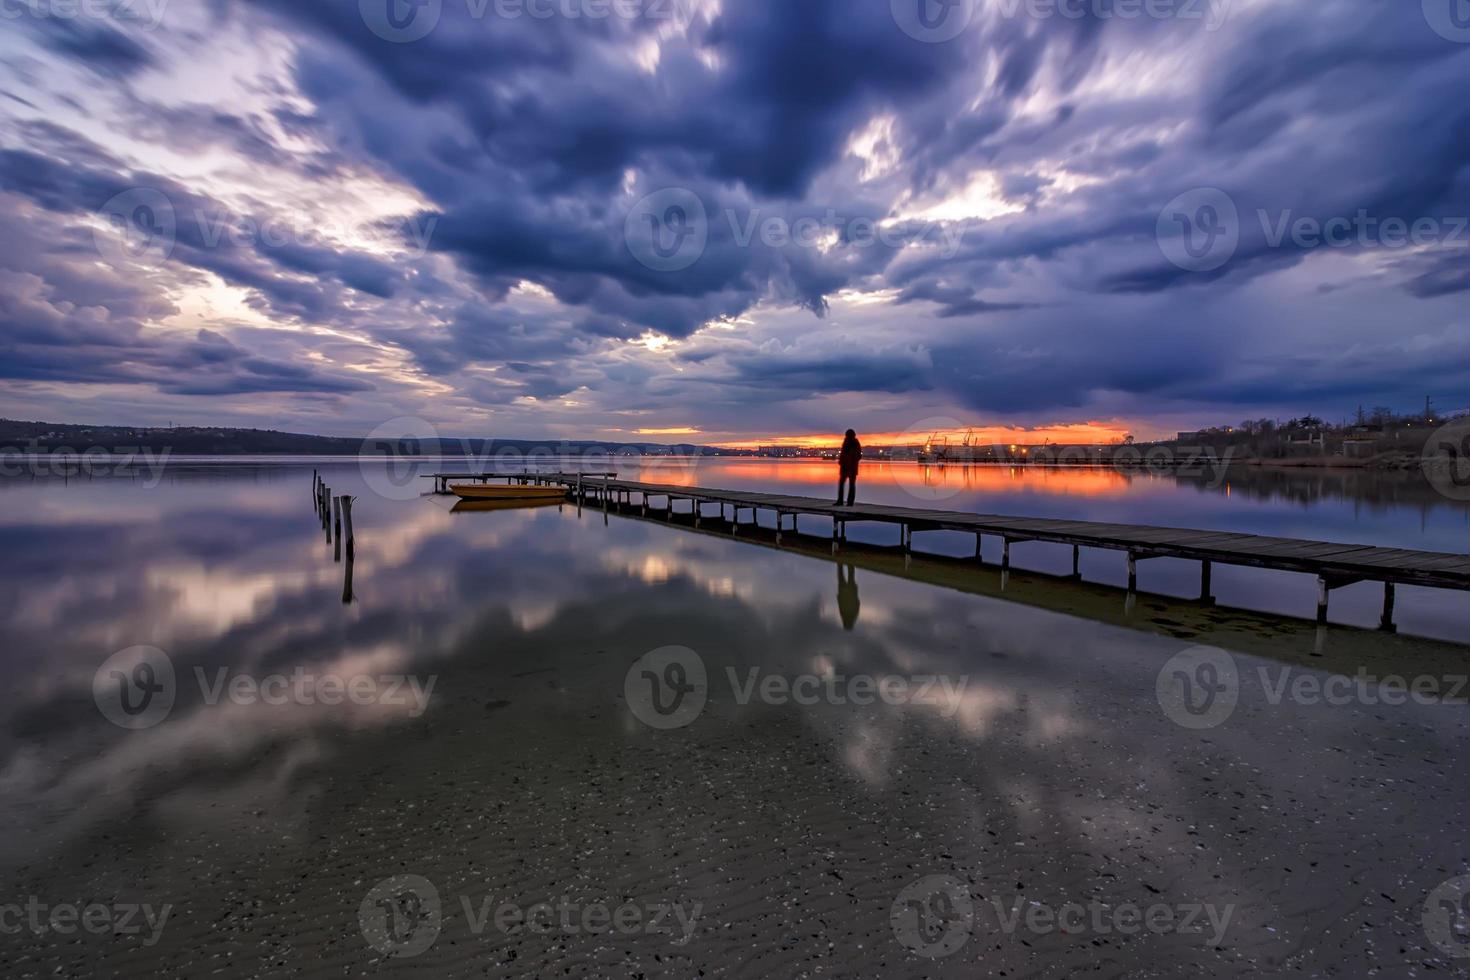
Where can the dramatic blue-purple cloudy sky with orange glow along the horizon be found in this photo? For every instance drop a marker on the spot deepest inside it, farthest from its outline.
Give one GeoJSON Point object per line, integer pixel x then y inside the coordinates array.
{"type": "Point", "coordinates": [740, 218]}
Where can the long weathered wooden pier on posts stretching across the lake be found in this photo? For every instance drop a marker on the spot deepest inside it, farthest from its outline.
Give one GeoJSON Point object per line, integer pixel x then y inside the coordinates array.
{"type": "Point", "coordinates": [1335, 565]}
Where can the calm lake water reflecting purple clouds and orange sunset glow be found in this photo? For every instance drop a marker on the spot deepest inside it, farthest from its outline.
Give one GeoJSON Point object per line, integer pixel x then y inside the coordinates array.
{"type": "Point", "coordinates": [556, 743]}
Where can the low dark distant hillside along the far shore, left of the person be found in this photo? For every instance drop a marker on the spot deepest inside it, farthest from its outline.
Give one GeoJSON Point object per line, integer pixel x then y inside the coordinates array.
{"type": "Point", "coordinates": [49, 437]}
